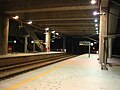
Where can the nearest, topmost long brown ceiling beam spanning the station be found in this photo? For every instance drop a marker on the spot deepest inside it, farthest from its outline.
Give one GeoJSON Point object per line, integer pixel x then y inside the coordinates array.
{"type": "Point", "coordinates": [34, 10]}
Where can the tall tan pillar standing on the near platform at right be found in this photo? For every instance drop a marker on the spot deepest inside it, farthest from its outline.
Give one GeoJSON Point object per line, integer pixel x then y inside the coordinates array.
{"type": "Point", "coordinates": [103, 38]}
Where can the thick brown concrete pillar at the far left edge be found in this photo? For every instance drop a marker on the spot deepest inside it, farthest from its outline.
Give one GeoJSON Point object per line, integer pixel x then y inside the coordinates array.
{"type": "Point", "coordinates": [4, 31]}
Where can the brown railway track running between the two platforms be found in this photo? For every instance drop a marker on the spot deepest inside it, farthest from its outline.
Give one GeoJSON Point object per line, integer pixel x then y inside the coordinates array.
{"type": "Point", "coordinates": [13, 70]}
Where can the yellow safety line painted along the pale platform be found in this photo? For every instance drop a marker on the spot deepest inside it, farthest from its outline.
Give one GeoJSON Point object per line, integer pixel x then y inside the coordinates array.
{"type": "Point", "coordinates": [35, 77]}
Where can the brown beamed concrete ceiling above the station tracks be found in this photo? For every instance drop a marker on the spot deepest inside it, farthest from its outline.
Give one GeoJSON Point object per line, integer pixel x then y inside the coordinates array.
{"type": "Point", "coordinates": [67, 17]}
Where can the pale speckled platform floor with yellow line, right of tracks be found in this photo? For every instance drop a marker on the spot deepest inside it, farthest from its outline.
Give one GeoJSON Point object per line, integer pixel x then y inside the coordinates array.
{"type": "Point", "coordinates": [79, 73]}
